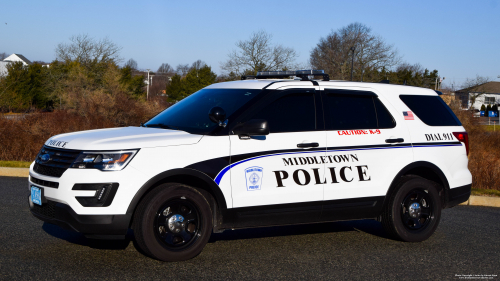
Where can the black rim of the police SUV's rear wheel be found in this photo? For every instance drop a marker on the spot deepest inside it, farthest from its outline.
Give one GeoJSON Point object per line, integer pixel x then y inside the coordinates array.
{"type": "Point", "coordinates": [416, 210]}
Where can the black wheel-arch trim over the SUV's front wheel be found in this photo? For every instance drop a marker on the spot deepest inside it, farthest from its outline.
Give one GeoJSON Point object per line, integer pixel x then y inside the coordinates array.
{"type": "Point", "coordinates": [219, 197]}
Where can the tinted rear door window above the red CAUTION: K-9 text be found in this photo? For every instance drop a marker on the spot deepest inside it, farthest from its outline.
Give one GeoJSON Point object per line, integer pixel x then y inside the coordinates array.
{"type": "Point", "coordinates": [352, 111]}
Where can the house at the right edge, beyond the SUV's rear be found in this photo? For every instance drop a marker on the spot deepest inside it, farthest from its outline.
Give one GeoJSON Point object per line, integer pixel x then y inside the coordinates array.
{"type": "Point", "coordinates": [491, 95]}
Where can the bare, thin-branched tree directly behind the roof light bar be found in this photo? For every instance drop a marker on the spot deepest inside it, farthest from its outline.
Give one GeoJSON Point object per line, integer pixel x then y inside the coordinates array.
{"type": "Point", "coordinates": [259, 54]}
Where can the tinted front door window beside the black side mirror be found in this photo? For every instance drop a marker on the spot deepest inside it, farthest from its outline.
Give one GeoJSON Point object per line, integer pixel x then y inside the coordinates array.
{"type": "Point", "coordinates": [291, 113]}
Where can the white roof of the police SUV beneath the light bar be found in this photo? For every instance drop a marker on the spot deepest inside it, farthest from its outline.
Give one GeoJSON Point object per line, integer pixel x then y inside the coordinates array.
{"type": "Point", "coordinates": [287, 83]}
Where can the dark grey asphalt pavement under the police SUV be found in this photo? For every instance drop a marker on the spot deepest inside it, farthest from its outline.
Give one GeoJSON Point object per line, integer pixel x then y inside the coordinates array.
{"type": "Point", "coordinates": [466, 244]}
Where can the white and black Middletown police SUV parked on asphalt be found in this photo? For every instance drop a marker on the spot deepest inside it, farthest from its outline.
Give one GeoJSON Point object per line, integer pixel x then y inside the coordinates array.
{"type": "Point", "coordinates": [264, 151]}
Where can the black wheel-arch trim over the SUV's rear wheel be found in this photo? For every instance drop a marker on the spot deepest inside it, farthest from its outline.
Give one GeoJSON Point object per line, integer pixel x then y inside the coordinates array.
{"type": "Point", "coordinates": [421, 164]}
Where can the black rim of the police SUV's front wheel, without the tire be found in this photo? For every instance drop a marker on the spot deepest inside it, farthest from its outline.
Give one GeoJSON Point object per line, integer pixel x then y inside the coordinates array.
{"type": "Point", "coordinates": [177, 224]}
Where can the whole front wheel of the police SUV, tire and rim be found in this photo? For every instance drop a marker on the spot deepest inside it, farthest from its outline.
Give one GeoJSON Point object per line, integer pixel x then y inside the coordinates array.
{"type": "Point", "coordinates": [173, 222]}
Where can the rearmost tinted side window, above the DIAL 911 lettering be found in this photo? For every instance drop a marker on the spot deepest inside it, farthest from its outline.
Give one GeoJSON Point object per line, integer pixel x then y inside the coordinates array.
{"type": "Point", "coordinates": [432, 110]}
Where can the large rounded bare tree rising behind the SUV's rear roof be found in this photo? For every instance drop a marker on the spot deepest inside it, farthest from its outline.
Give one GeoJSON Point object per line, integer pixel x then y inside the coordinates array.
{"type": "Point", "coordinates": [334, 52]}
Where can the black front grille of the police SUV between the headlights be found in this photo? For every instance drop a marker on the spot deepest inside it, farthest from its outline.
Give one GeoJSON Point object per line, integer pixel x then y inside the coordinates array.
{"type": "Point", "coordinates": [60, 161]}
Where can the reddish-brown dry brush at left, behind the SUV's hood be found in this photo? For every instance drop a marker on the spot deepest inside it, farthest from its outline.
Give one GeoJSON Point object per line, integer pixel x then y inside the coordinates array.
{"type": "Point", "coordinates": [22, 139]}
